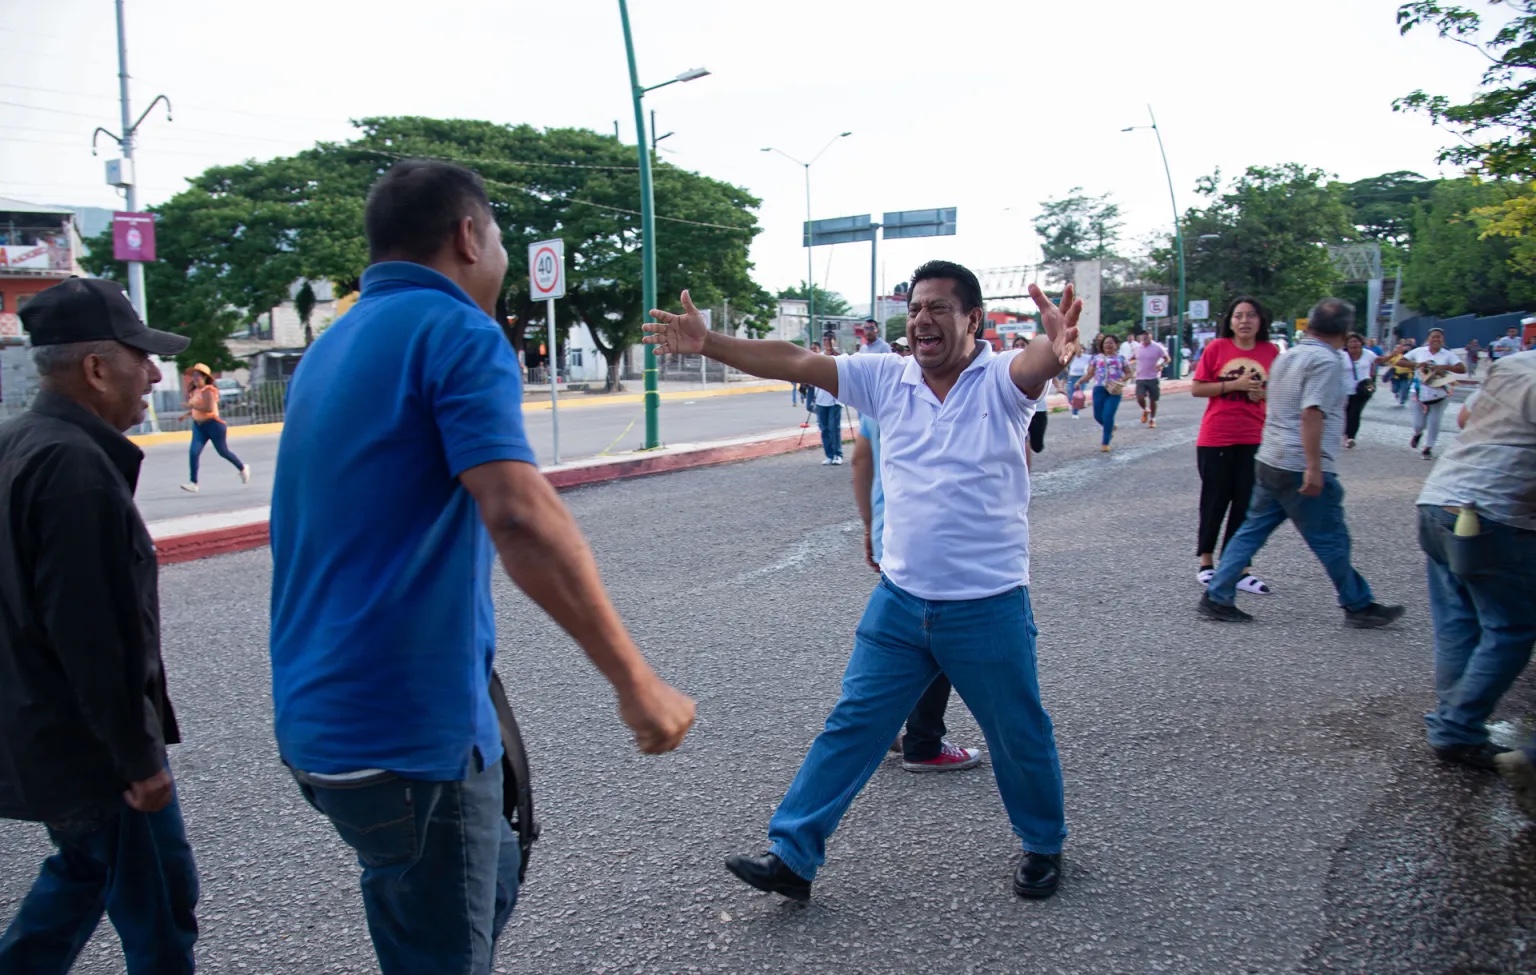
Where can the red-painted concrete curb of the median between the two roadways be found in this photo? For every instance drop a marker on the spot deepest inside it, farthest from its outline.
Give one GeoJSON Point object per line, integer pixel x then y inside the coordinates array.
{"type": "Point", "coordinates": [228, 540]}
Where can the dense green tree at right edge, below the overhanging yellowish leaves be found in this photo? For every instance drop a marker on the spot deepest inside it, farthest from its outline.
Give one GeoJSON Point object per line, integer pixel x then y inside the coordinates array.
{"type": "Point", "coordinates": [1454, 268]}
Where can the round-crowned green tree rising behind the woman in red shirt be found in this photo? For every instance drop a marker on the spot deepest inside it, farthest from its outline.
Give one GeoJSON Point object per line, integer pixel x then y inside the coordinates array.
{"type": "Point", "coordinates": [1266, 234]}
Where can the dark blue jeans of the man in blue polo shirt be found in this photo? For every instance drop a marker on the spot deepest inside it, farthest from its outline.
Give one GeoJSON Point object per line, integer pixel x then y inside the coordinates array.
{"type": "Point", "coordinates": [440, 865]}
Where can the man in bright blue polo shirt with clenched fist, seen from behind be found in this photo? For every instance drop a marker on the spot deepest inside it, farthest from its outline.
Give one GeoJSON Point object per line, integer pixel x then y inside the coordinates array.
{"type": "Point", "coordinates": [403, 466]}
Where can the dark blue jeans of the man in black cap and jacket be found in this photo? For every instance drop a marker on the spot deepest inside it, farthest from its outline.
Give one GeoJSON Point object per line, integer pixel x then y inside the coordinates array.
{"type": "Point", "coordinates": [137, 868]}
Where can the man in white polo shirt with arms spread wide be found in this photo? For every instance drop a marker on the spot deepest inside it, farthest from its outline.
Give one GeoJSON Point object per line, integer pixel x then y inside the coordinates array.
{"type": "Point", "coordinates": [955, 589]}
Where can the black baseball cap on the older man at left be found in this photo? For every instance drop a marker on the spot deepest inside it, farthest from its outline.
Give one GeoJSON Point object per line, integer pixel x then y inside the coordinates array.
{"type": "Point", "coordinates": [94, 311]}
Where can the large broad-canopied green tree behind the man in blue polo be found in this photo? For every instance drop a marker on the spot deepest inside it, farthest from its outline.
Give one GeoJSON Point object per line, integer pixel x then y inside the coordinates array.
{"type": "Point", "coordinates": [237, 239]}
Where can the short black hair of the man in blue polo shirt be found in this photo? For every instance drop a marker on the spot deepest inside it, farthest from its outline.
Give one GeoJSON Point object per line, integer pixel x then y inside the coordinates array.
{"type": "Point", "coordinates": [417, 207]}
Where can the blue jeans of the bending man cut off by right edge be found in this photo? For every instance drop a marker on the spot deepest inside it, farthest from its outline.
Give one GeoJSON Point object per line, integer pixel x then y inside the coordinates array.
{"type": "Point", "coordinates": [1485, 620]}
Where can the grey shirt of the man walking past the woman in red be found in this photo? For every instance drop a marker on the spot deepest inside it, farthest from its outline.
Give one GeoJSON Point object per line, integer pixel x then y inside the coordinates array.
{"type": "Point", "coordinates": [1309, 375]}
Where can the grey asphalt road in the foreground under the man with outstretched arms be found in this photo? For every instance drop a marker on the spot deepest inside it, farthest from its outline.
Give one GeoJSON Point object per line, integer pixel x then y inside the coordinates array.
{"type": "Point", "coordinates": [1242, 801]}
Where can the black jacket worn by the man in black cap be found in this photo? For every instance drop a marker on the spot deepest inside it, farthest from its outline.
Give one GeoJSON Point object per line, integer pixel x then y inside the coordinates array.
{"type": "Point", "coordinates": [84, 707]}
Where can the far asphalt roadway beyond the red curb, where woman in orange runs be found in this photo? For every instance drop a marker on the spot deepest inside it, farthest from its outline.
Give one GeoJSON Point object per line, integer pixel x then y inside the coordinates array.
{"type": "Point", "coordinates": [586, 431]}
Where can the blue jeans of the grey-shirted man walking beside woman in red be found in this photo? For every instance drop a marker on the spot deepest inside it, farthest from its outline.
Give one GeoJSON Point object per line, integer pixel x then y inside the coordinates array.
{"type": "Point", "coordinates": [1277, 497]}
